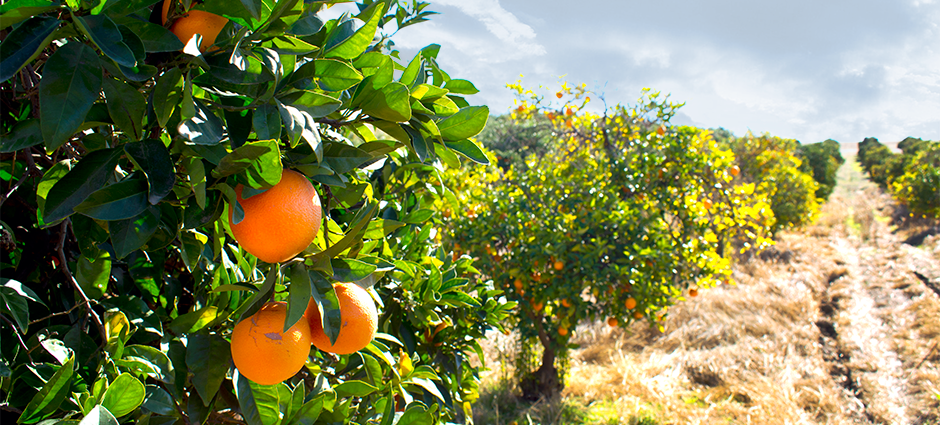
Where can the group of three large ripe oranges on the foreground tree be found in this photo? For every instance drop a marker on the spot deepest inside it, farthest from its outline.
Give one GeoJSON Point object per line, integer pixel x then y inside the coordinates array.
{"type": "Point", "coordinates": [278, 224]}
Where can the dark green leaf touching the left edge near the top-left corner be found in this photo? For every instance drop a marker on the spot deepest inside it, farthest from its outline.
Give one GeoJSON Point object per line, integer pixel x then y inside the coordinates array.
{"type": "Point", "coordinates": [24, 43]}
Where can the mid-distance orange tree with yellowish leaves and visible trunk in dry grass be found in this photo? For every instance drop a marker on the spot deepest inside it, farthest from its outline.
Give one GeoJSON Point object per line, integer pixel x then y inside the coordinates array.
{"type": "Point", "coordinates": [621, 215]}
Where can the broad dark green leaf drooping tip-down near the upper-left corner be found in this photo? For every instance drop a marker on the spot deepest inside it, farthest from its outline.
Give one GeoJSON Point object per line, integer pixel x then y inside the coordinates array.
{"type": "Point", "coordinates": [70, 84]}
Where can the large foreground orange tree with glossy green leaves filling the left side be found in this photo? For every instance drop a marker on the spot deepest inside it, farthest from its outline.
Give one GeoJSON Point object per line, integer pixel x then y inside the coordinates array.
{"type": "Point", "coordinates": [126, 153]}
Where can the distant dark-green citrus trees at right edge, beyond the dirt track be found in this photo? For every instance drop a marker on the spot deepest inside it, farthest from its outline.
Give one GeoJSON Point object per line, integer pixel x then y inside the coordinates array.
{"type": "Point", "coordinates": [912, 176]}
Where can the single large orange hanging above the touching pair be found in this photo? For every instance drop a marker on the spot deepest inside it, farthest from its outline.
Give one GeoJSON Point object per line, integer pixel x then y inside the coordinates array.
{"type": "Point", "coordinates": [280, 222]}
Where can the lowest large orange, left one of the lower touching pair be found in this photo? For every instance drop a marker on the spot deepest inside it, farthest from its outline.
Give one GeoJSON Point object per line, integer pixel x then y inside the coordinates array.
{"type": "Point", "coordinates": [264, 353]}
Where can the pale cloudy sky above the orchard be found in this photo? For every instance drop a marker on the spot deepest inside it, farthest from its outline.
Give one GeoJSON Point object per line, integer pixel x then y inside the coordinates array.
{"type": "Point", "coordinates": [803, 69]}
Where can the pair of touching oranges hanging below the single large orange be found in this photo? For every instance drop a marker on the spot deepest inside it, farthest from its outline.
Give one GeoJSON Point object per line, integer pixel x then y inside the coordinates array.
{"type": "Point", "coordinates": [267, 355]}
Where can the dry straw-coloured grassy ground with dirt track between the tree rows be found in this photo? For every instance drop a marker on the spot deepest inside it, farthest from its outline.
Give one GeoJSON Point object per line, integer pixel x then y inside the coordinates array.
{"type": "Point", "coordinates": [836, 324]}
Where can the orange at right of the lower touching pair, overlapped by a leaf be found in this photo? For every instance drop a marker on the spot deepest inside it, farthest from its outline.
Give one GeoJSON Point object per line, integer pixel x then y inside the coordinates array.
{"type": "Point", "coordinates": [360, 320]}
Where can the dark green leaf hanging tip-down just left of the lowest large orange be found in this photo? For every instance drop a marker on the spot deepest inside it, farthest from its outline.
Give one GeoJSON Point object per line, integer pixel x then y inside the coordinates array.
{"type": "Point", "coordinates": [208, 358]}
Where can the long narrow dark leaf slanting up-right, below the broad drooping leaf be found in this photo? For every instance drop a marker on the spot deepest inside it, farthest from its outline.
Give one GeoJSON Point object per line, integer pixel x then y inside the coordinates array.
{"type": "Point", "coordinates": [82, 180]}
